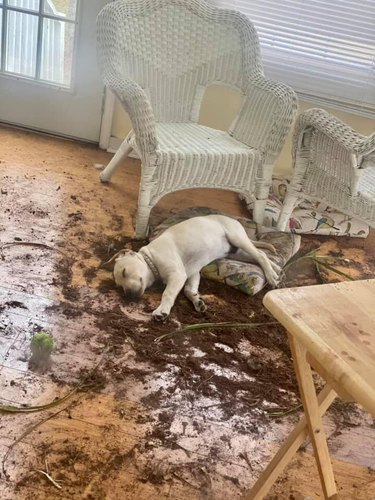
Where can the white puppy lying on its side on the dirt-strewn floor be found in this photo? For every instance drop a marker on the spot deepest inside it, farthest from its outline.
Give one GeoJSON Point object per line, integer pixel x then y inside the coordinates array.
{"type": "Point", "coordinates": [177, 256]}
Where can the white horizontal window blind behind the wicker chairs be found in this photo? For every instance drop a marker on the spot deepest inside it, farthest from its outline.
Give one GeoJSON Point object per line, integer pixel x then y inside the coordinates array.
{"type": "Point", "coordinates": [324, 49]}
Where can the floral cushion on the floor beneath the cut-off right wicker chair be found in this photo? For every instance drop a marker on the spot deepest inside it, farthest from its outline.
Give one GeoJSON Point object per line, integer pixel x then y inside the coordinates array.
{"type": "Point", "coordinates": [309, 217]}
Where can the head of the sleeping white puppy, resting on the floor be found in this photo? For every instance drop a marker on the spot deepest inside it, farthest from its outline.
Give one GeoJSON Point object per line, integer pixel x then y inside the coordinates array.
{"type": "Point", "coordinates": [130, 272]}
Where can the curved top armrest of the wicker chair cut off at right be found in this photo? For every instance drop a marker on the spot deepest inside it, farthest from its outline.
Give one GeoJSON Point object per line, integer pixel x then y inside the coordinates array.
{"type": "Point", "coordinates": [334, 128]}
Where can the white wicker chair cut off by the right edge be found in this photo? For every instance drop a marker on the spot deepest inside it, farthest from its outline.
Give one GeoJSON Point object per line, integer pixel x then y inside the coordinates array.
{"type": "Point", "coordinates": [333, 164]}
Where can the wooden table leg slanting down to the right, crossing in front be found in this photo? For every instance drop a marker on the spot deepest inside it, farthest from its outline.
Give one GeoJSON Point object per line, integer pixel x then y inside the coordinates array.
{"type": "Point", "coordinates": [313, 417]}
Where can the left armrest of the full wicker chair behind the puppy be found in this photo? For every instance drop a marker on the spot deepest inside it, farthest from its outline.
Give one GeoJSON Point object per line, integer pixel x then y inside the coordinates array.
{"type": "Point", "coordinates": [136, 103]}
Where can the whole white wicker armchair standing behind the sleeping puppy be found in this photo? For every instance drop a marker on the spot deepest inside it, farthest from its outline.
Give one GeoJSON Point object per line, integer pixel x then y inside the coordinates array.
{"type": "Point", "coordinates": [158, 56]}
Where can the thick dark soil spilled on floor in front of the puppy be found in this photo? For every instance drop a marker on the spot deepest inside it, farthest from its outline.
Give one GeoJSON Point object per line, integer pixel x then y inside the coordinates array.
{"type": "Point", "coordinates": [241, 377]}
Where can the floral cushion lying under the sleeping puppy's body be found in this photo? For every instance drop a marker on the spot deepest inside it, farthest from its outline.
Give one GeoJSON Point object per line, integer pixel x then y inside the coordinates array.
{"type": "Point", "coordinates": [244, 276]}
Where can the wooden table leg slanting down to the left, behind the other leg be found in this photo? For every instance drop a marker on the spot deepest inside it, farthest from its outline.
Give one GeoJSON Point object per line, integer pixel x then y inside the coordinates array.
{"type": "Point", "coordinates": [288, 449]}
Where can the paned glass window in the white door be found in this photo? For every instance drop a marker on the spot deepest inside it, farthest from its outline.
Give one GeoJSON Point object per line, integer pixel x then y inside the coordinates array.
{"type": "Point", "coordinates": [37, 40]}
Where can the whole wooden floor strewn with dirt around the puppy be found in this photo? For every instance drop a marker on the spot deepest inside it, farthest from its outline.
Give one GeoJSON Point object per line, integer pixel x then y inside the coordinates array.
{"type": "Point", "coordinates": [157, 411]}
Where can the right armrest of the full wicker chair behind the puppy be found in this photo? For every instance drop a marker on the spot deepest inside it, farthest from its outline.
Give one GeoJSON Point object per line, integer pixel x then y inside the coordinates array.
{"type": "Point", "coordinates": [266, 117]}
